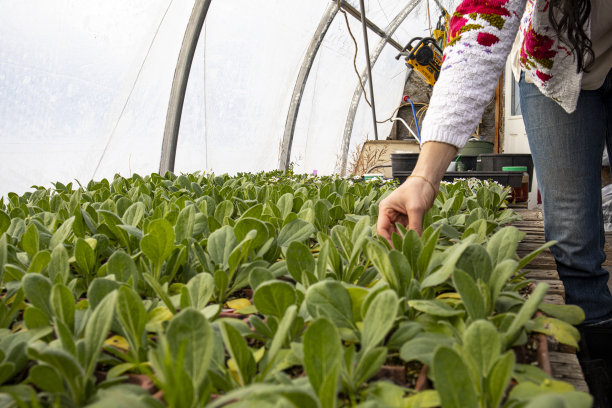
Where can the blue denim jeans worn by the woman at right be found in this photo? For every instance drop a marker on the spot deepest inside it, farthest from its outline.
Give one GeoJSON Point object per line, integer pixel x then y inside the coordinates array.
{"type": "Point", "coordinates": [567, 151]}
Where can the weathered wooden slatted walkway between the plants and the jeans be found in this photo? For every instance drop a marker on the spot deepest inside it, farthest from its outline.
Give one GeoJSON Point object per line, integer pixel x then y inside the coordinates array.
{"type": "Point", "coordinates": [563, 360]}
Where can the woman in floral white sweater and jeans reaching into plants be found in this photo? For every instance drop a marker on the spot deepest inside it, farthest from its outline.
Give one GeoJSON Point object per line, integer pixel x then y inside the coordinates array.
{"type": "Point", "coordinates": [564, 56]}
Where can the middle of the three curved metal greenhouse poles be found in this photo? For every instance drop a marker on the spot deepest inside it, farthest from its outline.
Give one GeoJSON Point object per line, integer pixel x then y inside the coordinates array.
{"type": "Point", "coordinates": [300, 85]}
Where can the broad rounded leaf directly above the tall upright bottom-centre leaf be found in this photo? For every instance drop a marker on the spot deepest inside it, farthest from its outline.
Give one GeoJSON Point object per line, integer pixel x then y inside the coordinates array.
{"type": "Point", "coordinates": [330, 299]}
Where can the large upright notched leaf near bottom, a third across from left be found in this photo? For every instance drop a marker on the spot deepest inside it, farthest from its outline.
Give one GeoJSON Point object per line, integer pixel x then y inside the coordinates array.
{"type": "Point", "coordinates": [190, 329]}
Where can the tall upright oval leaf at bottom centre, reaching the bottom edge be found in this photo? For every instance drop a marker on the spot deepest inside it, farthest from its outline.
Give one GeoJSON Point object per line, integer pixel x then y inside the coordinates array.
{"type": "Point", "coordinates": [323, 359]}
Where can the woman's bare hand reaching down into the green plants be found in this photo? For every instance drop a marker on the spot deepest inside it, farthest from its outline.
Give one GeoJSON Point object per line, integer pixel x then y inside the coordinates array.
{"type": "Point", "coordinates": [406, 205]}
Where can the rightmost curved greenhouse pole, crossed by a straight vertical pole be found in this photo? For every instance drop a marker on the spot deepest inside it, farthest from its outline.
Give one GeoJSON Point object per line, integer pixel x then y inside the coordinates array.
{"type": "Point", "coordinates": [350, 120]}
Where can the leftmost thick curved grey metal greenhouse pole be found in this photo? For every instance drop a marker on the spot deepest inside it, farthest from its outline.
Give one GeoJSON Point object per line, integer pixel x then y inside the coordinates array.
{"type": "Point", "coordinates": [179, 84]}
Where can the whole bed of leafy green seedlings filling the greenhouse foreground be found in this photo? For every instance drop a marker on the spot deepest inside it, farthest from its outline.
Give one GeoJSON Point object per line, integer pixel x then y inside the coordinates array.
{"type": "Point", "coordinates": [150, 261]}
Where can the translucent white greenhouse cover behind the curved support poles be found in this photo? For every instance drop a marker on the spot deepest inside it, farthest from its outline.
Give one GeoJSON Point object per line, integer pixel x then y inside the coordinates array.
{"type": "Point", "coordinates": [85, 85]}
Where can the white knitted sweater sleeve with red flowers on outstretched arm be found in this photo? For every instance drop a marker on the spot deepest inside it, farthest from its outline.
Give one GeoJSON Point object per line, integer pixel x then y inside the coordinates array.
{"type": "Point", "coordinates": [481, 33]}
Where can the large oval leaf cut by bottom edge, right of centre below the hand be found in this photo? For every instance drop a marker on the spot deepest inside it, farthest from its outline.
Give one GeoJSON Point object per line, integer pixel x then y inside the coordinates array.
{"type": "Point", "coordinates": [452, 379]}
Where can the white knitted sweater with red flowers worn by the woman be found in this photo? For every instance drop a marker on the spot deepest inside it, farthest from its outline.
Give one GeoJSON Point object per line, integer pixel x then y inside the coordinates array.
{"type": "Point", "coordinates": [481, 33]}
